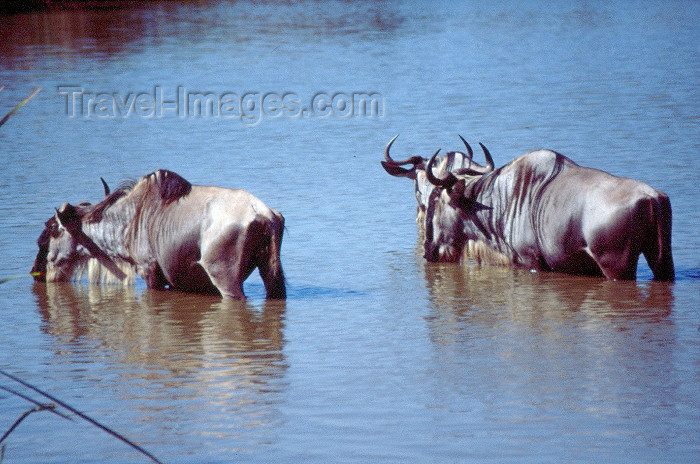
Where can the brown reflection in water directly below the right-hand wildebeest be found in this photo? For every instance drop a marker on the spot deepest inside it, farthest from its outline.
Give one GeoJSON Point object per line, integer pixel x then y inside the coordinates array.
{"type": "Point", "coordinates": [529, 295]}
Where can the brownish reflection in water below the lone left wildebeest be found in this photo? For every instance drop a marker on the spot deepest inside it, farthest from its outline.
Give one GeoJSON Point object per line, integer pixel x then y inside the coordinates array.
{"type": "Point", "coordinates": [171, 334]}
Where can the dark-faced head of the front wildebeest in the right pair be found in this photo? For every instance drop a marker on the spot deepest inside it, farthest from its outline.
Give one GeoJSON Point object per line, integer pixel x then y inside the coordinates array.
{"type": "Point", "coordinates": [451, 204]}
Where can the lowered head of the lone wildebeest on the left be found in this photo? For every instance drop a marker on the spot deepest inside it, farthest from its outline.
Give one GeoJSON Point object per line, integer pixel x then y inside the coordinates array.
{"type": "Point", "coordinates": [63, 246]}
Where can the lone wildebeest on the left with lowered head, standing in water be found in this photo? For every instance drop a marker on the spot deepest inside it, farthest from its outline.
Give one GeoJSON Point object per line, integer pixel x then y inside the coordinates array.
{"type": "Point", "coordinates": [172, 233]}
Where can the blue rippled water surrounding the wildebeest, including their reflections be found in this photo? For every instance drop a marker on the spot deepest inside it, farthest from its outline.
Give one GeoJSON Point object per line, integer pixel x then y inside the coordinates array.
{"type": "Point", "coordinates": [377, 356]}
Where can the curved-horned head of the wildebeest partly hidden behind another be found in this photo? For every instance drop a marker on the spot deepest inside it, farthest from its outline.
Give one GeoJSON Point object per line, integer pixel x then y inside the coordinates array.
{"type": "Point", "coordinates": [453, 163]}
